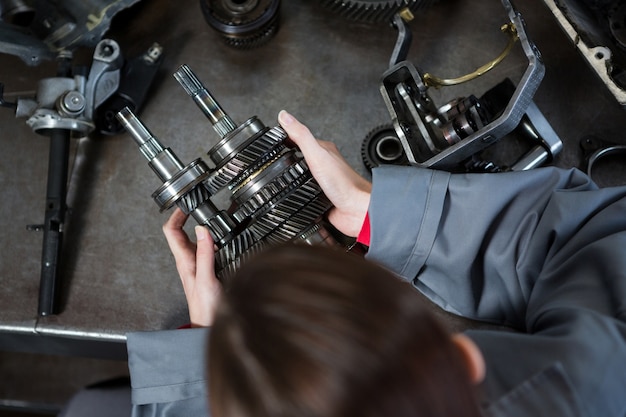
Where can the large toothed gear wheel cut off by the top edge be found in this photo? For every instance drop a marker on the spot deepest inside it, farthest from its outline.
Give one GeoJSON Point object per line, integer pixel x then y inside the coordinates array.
{"type": "Point", "coordinates": [374, 11]}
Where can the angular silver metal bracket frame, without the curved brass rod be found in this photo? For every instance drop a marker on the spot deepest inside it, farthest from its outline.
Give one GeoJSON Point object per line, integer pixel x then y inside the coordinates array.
{"type": "Point", "coordinates": [414, 115]}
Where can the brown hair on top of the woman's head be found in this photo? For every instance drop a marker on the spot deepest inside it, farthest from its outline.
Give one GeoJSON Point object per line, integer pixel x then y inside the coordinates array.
{"type": "Point", "coordinates": [305, 331]}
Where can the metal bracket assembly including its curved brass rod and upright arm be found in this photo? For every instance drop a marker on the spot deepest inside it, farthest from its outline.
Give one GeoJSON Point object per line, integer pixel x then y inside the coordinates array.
{"type": "Point", "coordinates": [445, 136]}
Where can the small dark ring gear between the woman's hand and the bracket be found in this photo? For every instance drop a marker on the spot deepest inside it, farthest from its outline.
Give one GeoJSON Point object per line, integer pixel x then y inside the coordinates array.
{"type": "Point", "coordinates": [382, 146]}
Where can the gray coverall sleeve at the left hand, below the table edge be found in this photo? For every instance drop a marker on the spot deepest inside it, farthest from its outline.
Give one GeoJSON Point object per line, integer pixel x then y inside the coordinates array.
{"type": "Point", "coordinates": [167, 370]}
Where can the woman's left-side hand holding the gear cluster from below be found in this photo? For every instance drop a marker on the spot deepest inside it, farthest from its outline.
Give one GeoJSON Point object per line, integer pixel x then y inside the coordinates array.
{"type": "Point", "coordinates": [195, 263]}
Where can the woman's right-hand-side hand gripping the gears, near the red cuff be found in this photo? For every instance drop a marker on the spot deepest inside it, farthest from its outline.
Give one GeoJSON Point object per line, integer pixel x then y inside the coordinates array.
{"type": "Point", "coordinates": [346, 189]}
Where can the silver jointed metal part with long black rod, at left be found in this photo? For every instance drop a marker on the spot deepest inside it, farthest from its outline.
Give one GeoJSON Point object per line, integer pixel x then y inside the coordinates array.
{"type": "Point", "coordinates": [64, 107]}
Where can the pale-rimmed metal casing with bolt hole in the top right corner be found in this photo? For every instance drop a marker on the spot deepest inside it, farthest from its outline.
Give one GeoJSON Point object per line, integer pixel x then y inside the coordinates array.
{"type": "Point", "coordinates": [597, 29]}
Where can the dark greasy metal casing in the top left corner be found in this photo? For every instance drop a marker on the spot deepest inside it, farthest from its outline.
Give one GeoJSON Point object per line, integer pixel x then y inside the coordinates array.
{"type": "Point", "coordinates": [41, 29]}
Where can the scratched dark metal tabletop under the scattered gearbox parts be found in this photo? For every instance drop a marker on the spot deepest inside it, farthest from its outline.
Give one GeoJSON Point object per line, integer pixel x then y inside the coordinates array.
{"type": "Point", "coordinates": [117, 272]}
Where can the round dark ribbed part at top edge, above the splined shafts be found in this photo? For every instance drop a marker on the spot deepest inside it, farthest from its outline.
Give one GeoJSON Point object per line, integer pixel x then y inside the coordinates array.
{"type": "Point", "coordinates": [243, 23]}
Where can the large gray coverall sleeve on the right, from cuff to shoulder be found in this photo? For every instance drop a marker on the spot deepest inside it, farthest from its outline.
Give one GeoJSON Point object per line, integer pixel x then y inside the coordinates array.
{"type": "Point", "coordinates": [543, 251]}
